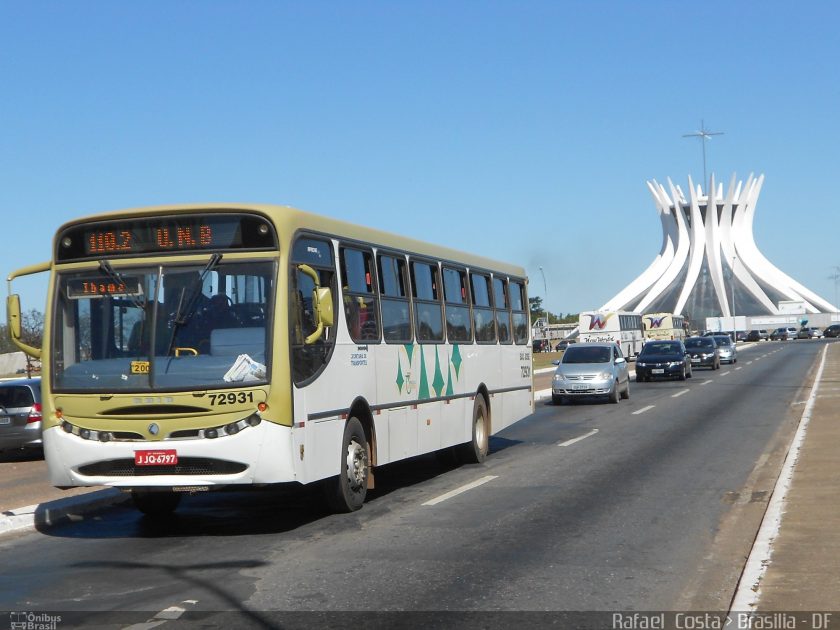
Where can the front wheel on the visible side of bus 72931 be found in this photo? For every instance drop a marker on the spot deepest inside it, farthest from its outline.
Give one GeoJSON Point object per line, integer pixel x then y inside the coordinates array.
{"type": "Point", "coordinates": [347, 492]}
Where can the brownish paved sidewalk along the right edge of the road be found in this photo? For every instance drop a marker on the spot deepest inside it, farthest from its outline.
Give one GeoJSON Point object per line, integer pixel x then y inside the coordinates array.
{"type": "Point", "coordinates": [803, 569]}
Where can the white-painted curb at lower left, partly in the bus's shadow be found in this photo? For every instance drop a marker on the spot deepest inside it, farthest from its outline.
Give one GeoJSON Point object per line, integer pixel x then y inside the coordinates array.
{"type": "Point", "coordinates": [51, 513]}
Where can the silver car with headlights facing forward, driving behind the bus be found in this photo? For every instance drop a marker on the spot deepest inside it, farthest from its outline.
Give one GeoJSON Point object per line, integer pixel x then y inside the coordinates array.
{"type": "Point", "coordinates": [591, 369]}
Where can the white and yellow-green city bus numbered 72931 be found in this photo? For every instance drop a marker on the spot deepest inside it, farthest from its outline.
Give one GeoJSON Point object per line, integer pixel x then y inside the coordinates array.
{"type": "Point", "coordinates": [188, 348]}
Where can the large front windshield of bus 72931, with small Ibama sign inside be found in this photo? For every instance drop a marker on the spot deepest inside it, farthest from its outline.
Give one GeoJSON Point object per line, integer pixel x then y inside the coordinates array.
{"type": "Point", "coordinates": [169, 327]}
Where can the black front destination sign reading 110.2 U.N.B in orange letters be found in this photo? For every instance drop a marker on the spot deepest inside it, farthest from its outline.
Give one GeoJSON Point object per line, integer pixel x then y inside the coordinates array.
{"type": "Point", "coordinates": [170, 234]}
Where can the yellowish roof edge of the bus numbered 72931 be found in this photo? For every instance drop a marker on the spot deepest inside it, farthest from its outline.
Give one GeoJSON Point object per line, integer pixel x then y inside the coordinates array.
{"type": "Point", "coordinates": [289, 220]}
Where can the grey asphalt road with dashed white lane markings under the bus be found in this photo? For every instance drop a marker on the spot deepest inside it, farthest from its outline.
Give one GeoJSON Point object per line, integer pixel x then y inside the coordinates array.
{"type": "Point", "coordinates": [650, 504]}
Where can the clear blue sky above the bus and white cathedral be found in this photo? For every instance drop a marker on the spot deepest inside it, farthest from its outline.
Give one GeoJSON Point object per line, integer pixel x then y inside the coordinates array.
{"type": "Point", "coordinates": [520, 130]}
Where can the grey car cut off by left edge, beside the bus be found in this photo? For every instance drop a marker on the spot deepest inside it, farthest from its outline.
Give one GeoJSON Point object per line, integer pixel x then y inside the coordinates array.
{"type": "Point", "coordinates": [20, 413]}
